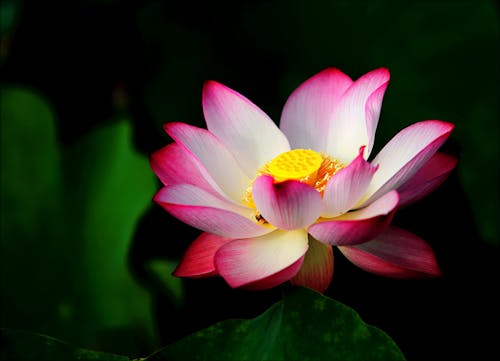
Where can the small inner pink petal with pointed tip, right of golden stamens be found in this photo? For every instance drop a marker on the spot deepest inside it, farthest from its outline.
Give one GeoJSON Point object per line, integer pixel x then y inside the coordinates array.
{"type": "Point", "coordinates": [347, 186]}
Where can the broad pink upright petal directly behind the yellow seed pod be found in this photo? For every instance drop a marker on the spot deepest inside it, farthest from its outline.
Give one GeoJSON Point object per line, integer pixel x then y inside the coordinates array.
{"type": "Point", "coordinates": [308, 111]}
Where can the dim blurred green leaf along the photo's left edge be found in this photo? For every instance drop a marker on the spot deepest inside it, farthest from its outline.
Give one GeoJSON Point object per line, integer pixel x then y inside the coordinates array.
{"type": "Point", "coordinates": [32, 251]}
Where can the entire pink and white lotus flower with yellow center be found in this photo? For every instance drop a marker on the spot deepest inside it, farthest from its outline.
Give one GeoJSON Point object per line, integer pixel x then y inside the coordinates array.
{"type": "Point", "coordinates": [272, 201]}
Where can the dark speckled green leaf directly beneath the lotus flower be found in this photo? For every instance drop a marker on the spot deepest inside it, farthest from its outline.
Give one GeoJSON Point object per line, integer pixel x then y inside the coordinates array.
{"type": "Point", "coordinates": [305, 325]}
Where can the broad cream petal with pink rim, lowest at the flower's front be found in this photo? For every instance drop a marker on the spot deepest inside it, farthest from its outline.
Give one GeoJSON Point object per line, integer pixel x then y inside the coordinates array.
{"type": "Point", "coordinates": [270, 259]}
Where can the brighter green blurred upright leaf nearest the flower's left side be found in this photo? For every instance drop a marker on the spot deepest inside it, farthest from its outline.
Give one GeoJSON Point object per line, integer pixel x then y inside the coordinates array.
{"type": "Point", "coordinates": [109, 186]}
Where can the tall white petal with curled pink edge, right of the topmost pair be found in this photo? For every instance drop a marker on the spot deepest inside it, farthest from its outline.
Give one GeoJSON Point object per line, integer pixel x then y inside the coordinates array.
{"type": "Point", "coordinates": [356, 116]}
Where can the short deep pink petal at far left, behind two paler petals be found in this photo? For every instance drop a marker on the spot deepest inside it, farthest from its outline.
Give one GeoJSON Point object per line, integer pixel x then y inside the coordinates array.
{"type": "Point", "coordinates": [174, 165]}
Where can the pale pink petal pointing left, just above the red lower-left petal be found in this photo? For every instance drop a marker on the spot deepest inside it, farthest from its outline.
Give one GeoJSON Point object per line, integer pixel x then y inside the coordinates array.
{"type": "Point", "coordinates": [205, 211]}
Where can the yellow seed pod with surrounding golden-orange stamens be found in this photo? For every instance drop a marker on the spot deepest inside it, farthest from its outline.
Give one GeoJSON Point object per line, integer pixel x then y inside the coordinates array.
{"type": "Point", "coordinates": [304, 165]}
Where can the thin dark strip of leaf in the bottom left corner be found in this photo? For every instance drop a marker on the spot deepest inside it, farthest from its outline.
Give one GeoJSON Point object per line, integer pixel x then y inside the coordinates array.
{"type": "Point", "coordinates": [26, 346]}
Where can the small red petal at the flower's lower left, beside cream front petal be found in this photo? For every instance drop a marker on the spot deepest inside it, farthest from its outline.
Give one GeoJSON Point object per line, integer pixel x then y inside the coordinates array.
{"type": "Point", "coordinates": [198, 260]}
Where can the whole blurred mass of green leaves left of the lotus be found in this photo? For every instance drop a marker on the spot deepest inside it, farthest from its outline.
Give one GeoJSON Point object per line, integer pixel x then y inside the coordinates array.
{"type": "Point", "coordinates": [67, 222]}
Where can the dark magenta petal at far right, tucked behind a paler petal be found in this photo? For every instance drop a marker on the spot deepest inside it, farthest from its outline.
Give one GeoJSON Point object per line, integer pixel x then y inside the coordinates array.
{"type": "Point", "coordinates": [428, 178]}
